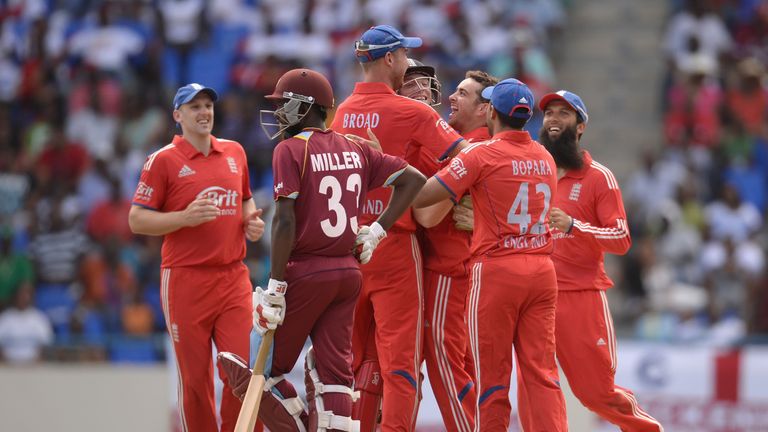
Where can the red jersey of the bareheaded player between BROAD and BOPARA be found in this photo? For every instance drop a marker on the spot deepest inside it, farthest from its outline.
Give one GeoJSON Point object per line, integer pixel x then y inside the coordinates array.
{"type": "Point", "coordinates": [445, 248]}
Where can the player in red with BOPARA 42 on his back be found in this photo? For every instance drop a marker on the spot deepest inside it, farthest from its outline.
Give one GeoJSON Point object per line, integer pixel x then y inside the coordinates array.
{"type": "Point", "coordinates": [513, 287]}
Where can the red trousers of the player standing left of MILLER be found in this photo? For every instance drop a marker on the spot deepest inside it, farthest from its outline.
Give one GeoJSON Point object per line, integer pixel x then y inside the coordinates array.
{"type": "Point", "coordinates": [201, 305]}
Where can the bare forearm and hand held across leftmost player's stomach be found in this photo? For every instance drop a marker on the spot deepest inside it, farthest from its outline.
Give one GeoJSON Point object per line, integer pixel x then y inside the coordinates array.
{"type": "Point", "coordinates": [147, 221]}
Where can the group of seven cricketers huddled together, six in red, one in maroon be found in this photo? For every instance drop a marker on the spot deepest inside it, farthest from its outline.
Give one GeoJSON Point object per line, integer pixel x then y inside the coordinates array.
{"type": "Point", "coordinates": [398, 238]}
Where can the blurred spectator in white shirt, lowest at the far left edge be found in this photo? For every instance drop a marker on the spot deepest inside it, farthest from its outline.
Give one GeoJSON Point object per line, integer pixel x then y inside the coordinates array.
{"type": "Point", "coordinates": [24, 330]}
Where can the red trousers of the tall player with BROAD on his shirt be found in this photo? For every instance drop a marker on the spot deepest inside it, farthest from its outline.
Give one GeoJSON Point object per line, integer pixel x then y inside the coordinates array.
{"type": "Point", "coordinates": [390, 310]}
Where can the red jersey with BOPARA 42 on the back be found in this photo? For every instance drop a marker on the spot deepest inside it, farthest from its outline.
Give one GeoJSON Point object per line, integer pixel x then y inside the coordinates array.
{"type": "Point", "coordinates": [511, 180]}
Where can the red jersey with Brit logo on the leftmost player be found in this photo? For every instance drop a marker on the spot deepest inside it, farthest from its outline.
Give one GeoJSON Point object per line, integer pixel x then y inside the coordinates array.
{"type": "Point", "coordinates": [176, 175]}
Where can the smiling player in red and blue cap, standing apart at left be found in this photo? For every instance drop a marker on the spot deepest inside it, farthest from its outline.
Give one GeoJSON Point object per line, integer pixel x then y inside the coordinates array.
{"type": "Point", "coordinates": [195, 192]}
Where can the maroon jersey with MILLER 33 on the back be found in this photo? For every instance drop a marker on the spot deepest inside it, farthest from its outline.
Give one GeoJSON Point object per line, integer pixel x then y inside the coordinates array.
{"type": "Point", "coordinates": [329, 177]}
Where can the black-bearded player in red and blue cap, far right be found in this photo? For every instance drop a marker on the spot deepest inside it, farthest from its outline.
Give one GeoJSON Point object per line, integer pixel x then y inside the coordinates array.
{"type": "Point", "coordinates": [589, 215]}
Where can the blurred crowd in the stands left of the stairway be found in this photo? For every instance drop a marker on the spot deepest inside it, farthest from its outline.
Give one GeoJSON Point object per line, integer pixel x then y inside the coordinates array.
{"type": "Point", "coordinates": [85, 95]}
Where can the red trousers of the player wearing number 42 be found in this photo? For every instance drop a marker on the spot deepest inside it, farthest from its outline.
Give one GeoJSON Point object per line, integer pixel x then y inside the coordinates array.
{"type": "Point", "coordinates": [511, 303]}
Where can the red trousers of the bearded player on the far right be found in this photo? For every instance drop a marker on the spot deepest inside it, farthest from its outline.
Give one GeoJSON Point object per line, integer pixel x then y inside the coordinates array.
{"type": "Point", "coordinates": [586, 350]}
